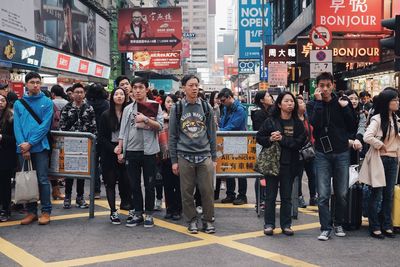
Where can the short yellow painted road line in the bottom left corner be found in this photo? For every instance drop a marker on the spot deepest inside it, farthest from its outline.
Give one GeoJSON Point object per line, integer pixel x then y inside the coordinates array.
{"type": "Point", "coordinates": [19, 255]}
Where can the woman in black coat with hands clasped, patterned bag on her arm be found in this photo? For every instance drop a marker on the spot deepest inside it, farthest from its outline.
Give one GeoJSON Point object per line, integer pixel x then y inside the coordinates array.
{"type": "Point", "coordinates": [283, 127]}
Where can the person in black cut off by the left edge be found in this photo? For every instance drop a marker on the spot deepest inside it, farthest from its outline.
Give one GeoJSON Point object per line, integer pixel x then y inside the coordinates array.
{"type": "Point", "coordinates": [8, 157]}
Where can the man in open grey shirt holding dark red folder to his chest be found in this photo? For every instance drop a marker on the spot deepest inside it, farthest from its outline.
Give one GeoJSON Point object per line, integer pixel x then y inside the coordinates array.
{"type": "Point", "coordinates": [138, 146]}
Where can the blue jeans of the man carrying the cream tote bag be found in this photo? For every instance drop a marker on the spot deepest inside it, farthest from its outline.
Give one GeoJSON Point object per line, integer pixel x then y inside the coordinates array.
{"type": "Point", "coordinates": [40, 163]}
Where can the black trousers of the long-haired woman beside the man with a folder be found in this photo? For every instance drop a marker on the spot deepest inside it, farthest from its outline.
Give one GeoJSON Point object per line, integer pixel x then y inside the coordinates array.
{"type": "Point", "coordinates": [113, 173]}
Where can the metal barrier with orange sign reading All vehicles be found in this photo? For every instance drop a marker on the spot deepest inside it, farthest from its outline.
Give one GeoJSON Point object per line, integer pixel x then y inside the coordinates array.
{"type": "Point", "coordinates": [236, 155]}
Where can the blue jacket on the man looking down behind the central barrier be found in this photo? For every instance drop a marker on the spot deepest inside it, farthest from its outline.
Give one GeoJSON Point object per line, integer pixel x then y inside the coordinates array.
{"type": "Point", "coordinates": [234, 118]}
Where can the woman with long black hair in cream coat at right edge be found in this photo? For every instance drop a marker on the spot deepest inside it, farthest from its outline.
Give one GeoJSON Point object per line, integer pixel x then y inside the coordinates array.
{"type": "Point", "coordinates": [383, 136]}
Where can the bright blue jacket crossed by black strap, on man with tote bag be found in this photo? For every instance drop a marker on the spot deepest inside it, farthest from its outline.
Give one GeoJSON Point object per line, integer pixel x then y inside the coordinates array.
{"type": "Point", "coordinates": [26, 128]}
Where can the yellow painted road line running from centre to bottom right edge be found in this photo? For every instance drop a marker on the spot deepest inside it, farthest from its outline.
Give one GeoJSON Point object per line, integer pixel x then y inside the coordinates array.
{"type": "Point", "coordinates": [281, 259]}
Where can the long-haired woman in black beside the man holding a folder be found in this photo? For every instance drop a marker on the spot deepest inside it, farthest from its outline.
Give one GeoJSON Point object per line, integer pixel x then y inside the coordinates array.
{"type": "Point", "coordinates": [113, 171]}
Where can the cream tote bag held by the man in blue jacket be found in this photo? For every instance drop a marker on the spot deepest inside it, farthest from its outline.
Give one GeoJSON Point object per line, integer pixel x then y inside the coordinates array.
{"type": "Point", "coordinates": [26, 185]}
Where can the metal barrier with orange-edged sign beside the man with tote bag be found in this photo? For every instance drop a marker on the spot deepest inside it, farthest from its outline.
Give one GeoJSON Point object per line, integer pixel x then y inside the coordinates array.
{"type": "Point", "coordinates": [74, 156]}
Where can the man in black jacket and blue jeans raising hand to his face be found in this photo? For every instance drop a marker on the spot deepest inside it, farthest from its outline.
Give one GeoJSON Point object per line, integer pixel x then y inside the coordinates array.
{"type": "Point", "coordinates": [333, 121]}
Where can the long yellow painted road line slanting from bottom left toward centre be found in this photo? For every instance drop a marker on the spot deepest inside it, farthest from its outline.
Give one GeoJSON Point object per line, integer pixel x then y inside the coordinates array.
{"type": "Point", "coordinates": [130, 254]}
